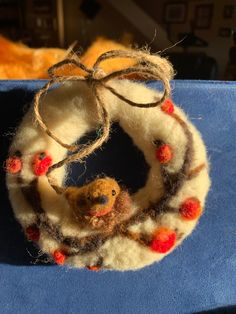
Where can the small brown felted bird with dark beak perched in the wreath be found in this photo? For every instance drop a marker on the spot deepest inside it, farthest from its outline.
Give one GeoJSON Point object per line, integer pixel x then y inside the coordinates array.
{"type": "Point", "coordinates": [100, 204]}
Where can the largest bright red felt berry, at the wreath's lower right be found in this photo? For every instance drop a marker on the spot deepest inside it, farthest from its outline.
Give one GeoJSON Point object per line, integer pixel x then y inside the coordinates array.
{"type": "Point", "coordinates": [164, 239]}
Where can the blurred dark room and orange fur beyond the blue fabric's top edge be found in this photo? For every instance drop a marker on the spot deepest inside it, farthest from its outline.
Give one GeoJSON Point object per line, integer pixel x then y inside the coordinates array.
{"type": "Point", "coordinates": [198, 36]}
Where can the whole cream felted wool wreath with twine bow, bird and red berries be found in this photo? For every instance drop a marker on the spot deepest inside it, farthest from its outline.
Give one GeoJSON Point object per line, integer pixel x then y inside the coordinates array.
{"type": "Point", "coordinates": [100, 225]}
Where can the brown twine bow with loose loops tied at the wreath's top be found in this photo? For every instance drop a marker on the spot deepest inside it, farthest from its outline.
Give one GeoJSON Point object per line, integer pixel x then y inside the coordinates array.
{"type": "Point", "coordinates": [147, 66]}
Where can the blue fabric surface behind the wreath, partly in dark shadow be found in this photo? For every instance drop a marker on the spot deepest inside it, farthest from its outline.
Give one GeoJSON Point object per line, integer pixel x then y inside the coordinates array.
{"type": "Point", "coordinates": [198, 276]}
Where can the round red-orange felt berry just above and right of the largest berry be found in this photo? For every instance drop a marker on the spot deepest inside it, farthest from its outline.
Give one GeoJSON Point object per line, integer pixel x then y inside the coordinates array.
{"type": "Point", "coordinates": [190, 209]}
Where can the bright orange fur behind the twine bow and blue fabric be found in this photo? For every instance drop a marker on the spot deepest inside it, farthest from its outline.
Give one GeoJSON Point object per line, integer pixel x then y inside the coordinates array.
{"type": "Point", "coordinates": [18, 61]}
